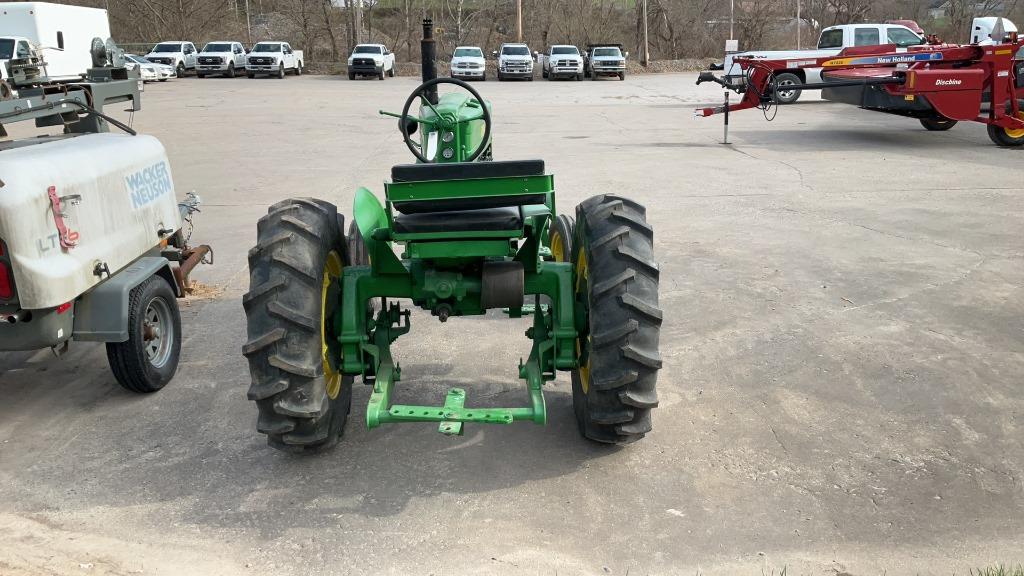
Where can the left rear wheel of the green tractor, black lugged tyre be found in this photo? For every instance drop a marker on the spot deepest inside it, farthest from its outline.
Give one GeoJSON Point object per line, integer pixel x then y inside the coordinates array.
{"type": "Point", "coordinates": [294, 291]}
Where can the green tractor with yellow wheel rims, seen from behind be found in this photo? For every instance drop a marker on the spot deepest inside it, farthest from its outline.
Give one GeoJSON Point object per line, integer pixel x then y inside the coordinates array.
{"type": "Point", "coordinates": [476, 234]}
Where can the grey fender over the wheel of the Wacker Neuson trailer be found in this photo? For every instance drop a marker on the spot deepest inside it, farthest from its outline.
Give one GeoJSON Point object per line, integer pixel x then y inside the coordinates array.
{"type": "Point", "coordinates": [102, 314]}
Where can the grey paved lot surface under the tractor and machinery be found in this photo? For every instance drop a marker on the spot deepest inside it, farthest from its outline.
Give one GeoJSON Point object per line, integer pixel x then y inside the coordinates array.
{"type": "Point", "coordinates": [843, 345]}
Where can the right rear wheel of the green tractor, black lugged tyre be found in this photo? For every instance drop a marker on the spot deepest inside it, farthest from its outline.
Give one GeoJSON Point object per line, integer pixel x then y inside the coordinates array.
{"type": "Point", "coordinates": [614, 391]}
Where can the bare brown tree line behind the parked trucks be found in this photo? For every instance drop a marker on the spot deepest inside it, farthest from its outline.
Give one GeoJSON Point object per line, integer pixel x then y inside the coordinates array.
{"type": "Point", "coordinates": [676, 29]}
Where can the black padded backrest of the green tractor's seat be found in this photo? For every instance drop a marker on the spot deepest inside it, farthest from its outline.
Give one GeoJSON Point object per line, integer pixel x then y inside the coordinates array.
{"type": "Point", "coordinates": [406, 174]}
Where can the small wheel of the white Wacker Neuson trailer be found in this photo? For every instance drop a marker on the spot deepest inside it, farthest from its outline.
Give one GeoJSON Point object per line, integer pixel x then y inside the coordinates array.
{"type": "Point", "coordinates": [148, 360]}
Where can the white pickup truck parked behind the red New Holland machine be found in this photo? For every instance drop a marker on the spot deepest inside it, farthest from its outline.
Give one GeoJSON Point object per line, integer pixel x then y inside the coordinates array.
{"type": "Point", "coordinates": [833, 40]}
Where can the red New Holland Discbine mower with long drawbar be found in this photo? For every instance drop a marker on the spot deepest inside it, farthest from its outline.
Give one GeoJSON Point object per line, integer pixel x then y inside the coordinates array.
{"type": "Point", "coordinates": [938, 85]}
